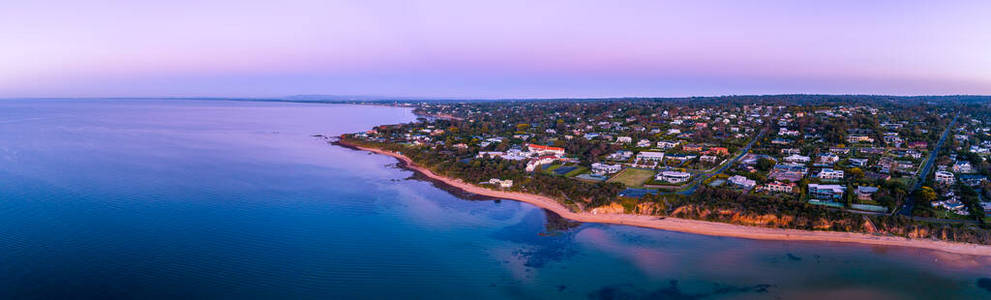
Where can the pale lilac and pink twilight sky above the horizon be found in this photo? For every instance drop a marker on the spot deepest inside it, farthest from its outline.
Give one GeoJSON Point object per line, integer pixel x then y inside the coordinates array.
{"type": "Point", "coordinates": [492, 49]}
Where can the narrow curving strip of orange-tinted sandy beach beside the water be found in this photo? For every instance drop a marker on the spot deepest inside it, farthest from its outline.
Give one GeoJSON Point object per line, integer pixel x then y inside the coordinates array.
{"type": "Point", "coordinates": [694, 226]}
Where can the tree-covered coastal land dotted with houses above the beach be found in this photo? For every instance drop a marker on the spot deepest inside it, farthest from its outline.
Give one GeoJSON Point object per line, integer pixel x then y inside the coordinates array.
{"type": "Point", "coordinates": [833, 163]}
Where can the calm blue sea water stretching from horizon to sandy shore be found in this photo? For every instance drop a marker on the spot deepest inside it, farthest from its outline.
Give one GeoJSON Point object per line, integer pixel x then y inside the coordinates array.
{"type": "Point", "coordinates": [220, 199]}
